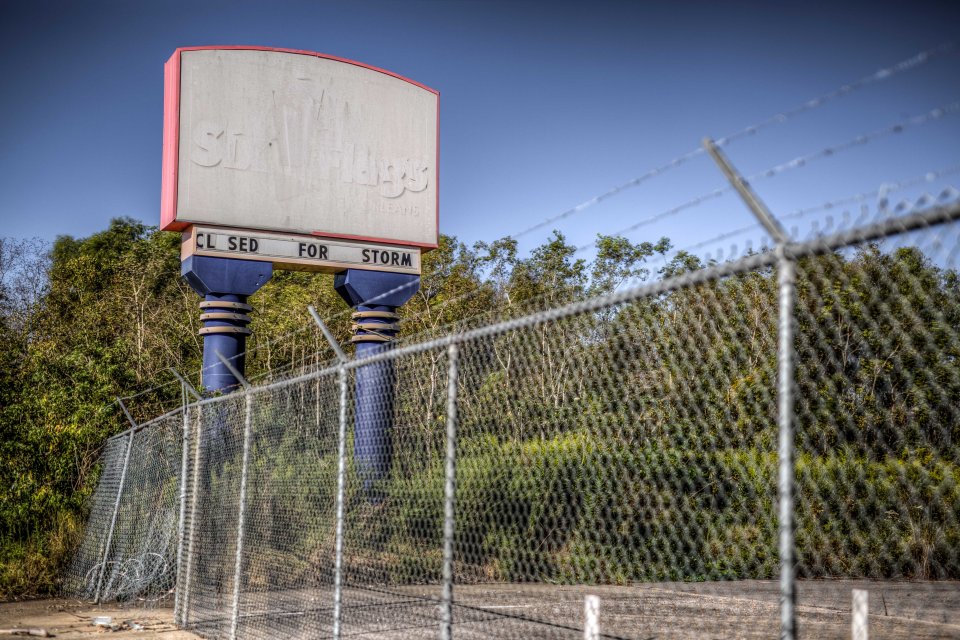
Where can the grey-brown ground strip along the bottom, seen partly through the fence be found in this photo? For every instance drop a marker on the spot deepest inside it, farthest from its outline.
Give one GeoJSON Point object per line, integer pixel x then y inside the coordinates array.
{"type": "Point", "coordinates": [744, 609]}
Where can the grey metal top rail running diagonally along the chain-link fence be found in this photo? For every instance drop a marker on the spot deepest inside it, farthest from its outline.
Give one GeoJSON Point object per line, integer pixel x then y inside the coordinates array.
{"type": "Point", "coordinates": [930, 217]}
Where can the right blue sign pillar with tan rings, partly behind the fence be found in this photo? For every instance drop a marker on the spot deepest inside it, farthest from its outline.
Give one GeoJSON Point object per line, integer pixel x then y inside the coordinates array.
{"type": "Point", "coordinates": [376, 296]}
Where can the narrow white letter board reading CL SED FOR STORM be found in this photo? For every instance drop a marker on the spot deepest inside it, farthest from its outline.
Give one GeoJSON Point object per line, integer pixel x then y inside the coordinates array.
{"type": "Point", "coordinates": [298, 253]}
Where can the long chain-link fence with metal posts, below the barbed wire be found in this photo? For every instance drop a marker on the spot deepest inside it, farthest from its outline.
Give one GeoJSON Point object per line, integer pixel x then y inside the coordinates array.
{"type": "Point", "coordinates": [724, 452]}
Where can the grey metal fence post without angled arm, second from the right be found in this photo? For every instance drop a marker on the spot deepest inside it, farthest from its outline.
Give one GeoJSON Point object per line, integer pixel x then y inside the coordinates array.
{"type": "Point", "coordinates": [449, 494]}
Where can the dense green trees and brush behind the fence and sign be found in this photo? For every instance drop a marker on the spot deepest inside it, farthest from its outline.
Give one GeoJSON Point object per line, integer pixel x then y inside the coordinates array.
{"type": "Point", "coordinates": [634, 443]}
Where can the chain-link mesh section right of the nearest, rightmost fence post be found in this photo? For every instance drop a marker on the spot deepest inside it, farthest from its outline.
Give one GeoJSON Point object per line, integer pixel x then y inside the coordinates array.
{"type": "Point", "coordinates": [878, 434]}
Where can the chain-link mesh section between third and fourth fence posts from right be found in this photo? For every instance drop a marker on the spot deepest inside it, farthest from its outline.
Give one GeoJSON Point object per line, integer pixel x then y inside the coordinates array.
{"type": "Point", "coordinates": [287, 564]}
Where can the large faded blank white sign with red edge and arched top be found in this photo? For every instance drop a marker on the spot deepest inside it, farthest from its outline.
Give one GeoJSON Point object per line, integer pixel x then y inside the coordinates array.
{"type": "Point", "coordinates": [296, 142]}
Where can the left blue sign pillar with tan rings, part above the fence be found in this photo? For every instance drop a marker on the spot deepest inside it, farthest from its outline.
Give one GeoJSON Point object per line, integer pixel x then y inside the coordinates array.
{"type": "Point", "coordinates": [225, 284]}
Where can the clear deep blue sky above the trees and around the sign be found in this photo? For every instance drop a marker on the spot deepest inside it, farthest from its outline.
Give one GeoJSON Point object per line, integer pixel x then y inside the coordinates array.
{"type": "Point", "coordinates": [543, 104]}
